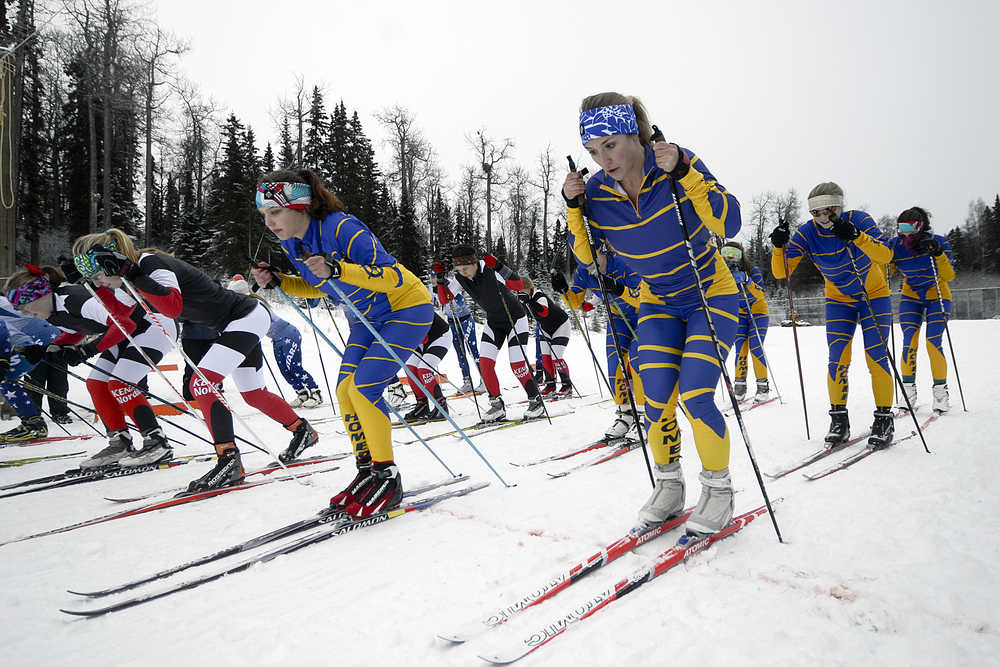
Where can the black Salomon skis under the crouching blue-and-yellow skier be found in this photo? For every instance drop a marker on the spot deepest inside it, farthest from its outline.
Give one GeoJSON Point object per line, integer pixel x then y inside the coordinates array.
{"type": "Point", "coordinates": [324, 525]}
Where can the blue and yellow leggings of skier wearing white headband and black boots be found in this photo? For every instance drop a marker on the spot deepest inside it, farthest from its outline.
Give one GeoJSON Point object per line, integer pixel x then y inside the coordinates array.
{"type": "Point", "coordinates": [841, 321]}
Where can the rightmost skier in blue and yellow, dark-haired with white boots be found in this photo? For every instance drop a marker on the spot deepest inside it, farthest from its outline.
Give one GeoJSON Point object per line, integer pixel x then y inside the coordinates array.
{"type": "Point", "coordinates": [913, 250]}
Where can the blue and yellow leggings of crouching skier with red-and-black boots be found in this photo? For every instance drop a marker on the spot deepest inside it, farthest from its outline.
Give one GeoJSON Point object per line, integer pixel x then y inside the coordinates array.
{"type": "Point", "coordinates": [367, 369]}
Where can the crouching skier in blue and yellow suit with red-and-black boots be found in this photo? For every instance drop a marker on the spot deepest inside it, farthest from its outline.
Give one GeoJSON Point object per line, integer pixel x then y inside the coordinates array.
{"type": "Point", "coordinates": [328, 247]}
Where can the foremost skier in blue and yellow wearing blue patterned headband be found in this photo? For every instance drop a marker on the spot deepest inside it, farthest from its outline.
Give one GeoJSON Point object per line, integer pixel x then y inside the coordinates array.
{"type": "Point", "coordinates": [630, 207]}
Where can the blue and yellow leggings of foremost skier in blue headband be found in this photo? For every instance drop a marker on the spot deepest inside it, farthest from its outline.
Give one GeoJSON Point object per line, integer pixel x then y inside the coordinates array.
{"type": "Point", "coordinates": [677, 359]}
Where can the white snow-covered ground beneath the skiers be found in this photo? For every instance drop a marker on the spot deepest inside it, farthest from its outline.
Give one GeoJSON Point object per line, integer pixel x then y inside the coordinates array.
{"type": "Point", "coordinates": [893, 562]}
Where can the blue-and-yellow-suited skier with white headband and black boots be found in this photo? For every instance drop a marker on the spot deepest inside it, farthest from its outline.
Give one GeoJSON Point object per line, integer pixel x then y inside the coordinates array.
{"type": "Point", "coordinates": [827, 239]}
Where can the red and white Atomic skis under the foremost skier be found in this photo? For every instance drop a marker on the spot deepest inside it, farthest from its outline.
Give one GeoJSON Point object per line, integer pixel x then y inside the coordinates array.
{"type": "Point", "coordinates": [528, 642]}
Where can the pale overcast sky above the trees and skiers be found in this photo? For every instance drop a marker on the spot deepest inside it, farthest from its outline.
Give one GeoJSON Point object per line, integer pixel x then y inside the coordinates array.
{"type": "Point", "coordinates": [896, 101]}
